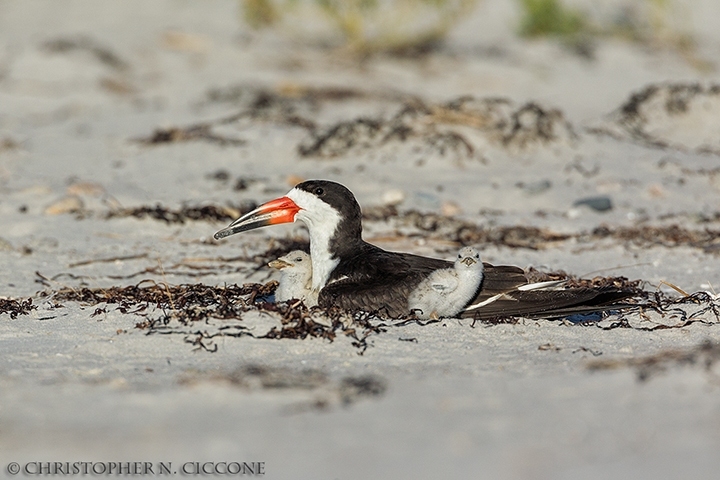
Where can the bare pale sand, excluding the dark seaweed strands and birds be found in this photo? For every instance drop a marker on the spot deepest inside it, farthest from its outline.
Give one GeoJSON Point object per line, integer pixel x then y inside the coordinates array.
{"type": "Point", "coordinates": [507, 401]}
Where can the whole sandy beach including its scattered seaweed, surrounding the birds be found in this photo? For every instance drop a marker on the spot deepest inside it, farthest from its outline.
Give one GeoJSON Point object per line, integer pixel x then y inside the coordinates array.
{"type": "Point", "coordinates": [132, 131]}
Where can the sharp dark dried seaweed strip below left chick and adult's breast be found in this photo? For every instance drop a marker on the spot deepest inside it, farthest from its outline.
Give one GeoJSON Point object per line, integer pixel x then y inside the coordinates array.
{"type": "Point", "coordinates": [189, 304]}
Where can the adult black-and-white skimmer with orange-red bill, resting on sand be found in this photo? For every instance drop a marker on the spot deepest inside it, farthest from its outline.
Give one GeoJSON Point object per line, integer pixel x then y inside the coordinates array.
{"type": "Point", "coordinates": [352, 274]}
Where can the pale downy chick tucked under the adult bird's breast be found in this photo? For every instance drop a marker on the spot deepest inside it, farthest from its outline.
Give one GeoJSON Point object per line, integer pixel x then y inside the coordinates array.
{"type": "Point", "coordinates": [295, 278]}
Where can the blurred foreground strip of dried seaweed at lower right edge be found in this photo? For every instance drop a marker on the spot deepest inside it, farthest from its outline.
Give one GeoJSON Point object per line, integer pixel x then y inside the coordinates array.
{"type": "Point", "coordinates": [706, 355]}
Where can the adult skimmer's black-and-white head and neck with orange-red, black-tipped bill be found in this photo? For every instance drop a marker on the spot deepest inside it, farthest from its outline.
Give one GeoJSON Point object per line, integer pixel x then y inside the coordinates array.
{"type": "Point", "coordinates": [330, 212]}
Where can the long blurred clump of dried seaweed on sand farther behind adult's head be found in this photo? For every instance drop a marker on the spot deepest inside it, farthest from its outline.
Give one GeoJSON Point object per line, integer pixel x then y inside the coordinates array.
{"type": "Point", "coordinates": [457, 128]}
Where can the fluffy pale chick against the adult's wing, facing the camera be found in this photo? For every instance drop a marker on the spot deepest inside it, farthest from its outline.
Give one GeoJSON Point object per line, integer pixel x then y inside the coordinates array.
{"type": "Point", "coordinates": [445, 292]}
